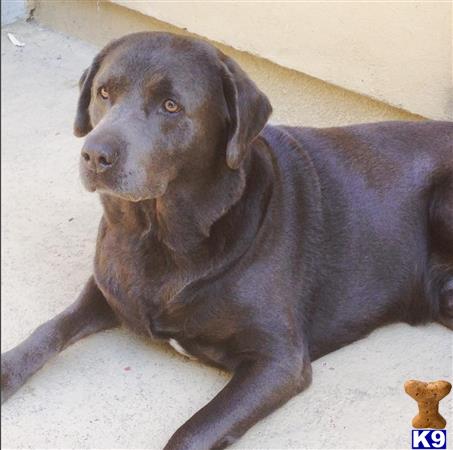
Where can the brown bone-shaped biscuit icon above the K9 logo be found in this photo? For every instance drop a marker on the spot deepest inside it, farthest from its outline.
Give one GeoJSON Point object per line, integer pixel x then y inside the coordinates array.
{"type": "Point", "coordinates": [428, 396]}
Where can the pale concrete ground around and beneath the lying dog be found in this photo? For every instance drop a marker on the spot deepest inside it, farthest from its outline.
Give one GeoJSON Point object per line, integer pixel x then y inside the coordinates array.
{"type": "Point", "coordinates": [113, 390]}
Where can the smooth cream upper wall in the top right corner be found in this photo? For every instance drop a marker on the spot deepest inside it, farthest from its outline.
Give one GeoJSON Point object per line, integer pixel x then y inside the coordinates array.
{"type": "Point", "coordinates": [398, 52]}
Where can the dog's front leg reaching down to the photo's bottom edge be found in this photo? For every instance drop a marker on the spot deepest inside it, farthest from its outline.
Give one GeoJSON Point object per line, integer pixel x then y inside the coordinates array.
{"type": "Point", "coordinates": [256, 389]}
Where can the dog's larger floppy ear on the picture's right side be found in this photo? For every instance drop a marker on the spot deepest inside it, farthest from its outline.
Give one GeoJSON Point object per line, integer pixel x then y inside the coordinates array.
{"type": "Point", "coordinates": [248, 109]}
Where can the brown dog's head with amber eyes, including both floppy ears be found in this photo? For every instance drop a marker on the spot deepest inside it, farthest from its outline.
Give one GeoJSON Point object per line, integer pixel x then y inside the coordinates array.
{"type": "Point", "coordinates": [155, 107]}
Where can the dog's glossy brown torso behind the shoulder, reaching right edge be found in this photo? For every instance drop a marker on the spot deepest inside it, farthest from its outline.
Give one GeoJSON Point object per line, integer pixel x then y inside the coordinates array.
{"type": "Point", "coordinates": [387, 204]}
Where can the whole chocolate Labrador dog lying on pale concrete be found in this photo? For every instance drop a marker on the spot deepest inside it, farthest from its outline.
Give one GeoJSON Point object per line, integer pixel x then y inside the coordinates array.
{"type": "Point", "coordinates": [251, 247]}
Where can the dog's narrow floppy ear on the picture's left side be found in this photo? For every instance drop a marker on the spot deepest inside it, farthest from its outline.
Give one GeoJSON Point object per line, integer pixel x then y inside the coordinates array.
{"type": "Point", "coordinates": [82, 124]}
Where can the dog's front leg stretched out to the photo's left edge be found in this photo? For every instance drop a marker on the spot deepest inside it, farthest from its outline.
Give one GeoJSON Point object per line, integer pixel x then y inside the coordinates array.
{"type": "Point", "coordinates": [88, 314]}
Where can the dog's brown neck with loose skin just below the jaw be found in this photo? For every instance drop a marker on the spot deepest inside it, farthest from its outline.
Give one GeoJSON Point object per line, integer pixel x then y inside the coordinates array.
{"type": "Point", "coordinates": [182, 219]}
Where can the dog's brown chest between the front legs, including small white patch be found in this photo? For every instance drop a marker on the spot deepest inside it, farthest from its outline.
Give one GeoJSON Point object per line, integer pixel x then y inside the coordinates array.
{"type": "Point", "coordinates": [154, 299]}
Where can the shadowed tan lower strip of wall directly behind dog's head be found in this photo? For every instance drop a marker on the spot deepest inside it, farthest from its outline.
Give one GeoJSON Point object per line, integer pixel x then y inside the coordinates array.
{"type": "Point", "coordinates": [297, 98]}
